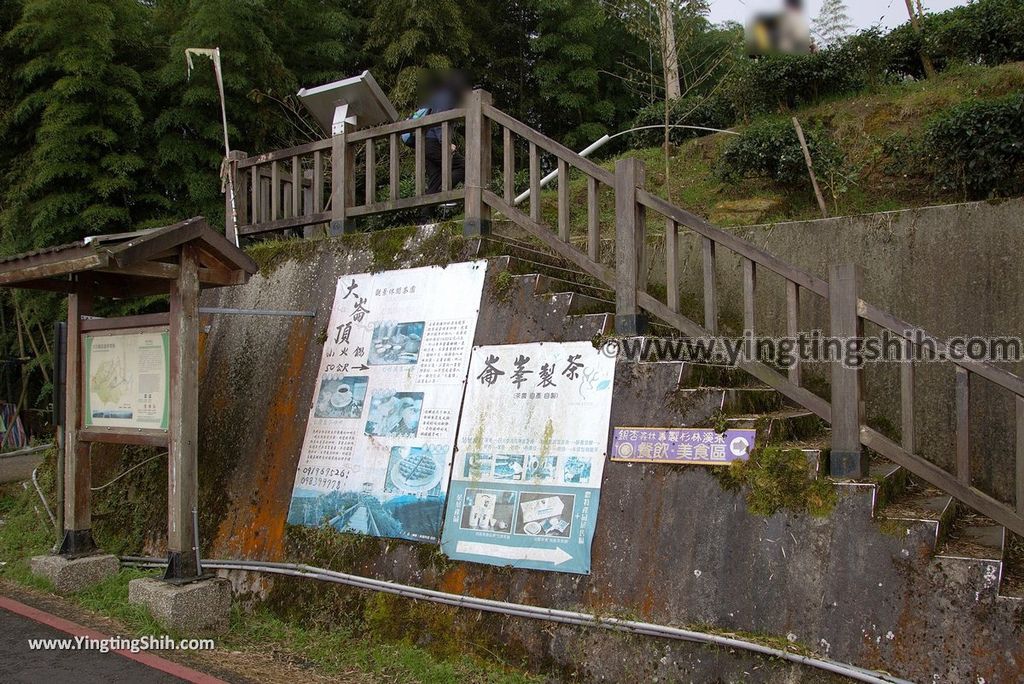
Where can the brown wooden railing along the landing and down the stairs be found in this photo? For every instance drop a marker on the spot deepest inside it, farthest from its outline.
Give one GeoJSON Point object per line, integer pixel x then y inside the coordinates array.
{"type": "Point", "coordinates": [848, 311]}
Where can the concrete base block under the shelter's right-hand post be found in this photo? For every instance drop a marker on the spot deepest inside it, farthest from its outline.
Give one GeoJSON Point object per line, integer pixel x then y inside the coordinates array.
{"type": "Point", "coordinates": [202, 607]}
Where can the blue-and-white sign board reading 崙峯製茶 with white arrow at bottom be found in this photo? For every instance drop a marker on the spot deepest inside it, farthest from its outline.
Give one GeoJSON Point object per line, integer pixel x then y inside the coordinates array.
{"type": "Point", "coordinates": [532, 447]}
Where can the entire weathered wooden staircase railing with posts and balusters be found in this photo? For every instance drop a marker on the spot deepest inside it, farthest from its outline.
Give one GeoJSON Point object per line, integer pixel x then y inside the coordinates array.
{"type": "Point", "coordinates": [316, 185]}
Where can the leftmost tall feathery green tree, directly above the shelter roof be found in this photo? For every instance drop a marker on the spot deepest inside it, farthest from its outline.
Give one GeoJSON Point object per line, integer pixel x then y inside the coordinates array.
{"type": "Point", "coordinates": [79, 107]}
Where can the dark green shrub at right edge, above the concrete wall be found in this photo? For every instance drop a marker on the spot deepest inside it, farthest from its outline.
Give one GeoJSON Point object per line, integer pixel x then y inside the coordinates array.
{"type": "Point", "coordinates": [977, 148]}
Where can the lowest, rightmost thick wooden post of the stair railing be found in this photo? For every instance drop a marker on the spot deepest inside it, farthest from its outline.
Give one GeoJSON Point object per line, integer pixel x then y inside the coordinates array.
{"type": "Point", "coordinates": [847, 460]}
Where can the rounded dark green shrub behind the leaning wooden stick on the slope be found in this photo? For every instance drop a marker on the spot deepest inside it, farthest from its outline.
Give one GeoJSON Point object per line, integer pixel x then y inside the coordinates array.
{"type": "Point", "coordinates": [773, 150]}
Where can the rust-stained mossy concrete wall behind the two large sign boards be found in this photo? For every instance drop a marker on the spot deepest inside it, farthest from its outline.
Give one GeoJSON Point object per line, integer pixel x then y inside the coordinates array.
{"type": "Point", "coordinates": [672, 546]}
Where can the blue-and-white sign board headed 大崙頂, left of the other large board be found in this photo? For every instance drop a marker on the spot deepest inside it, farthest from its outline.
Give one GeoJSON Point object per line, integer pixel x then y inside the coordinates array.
{"type": "Point", "coordinates": [377, 454]}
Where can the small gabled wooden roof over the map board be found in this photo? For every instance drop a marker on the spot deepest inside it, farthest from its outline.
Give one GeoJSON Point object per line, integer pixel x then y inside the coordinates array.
{"type": "Point", "coordinates": [130, 265]}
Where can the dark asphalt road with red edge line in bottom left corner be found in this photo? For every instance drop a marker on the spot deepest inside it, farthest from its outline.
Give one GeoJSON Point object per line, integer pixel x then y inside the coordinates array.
{"type": "Point", "coordinates": [20, 664]}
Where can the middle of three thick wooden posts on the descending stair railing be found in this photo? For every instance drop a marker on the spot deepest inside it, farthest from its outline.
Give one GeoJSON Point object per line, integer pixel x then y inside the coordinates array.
{"type": "Point", "coordinates": [629, 246]}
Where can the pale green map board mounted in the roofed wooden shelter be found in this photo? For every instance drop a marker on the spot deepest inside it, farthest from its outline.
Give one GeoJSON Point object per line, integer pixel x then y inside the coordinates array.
{"type": "Point", "coordinates": [126, 379]}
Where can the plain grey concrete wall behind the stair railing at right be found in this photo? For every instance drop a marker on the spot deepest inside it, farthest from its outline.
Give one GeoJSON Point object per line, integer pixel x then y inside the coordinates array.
{"type": "Point", "coordinates": [953, 271]}
